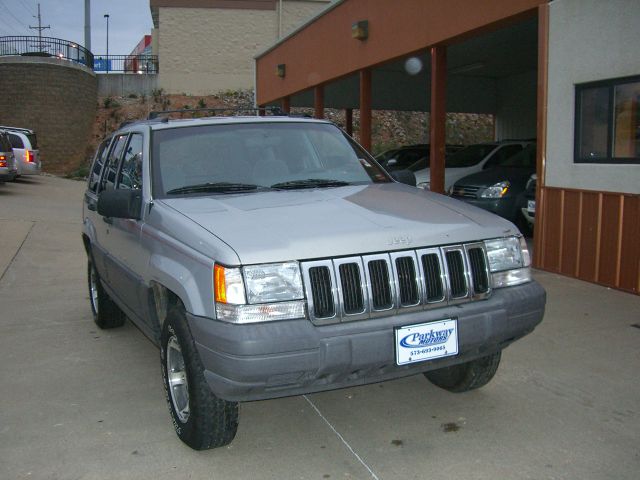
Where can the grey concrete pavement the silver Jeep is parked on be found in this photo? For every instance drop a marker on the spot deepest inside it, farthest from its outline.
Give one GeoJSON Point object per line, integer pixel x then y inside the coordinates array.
{"type": "Point", "coordinates": [80, 403]}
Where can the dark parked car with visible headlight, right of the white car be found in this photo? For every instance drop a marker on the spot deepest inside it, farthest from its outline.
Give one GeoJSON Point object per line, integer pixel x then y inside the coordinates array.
{"type": "Point", "coordinates": [500, 189]}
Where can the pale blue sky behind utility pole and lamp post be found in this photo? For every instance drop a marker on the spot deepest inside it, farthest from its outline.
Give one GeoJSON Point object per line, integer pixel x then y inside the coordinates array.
{"type": "Point", "coordinates": [129, 20]}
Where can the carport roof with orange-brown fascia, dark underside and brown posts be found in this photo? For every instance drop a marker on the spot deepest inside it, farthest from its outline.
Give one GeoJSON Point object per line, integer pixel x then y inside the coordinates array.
{"type": "Point", "coordinates": [463, 45]}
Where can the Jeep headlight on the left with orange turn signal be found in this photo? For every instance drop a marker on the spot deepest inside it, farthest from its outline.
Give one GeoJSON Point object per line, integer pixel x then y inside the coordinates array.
{"type": "Point", "coordinates": [259, 293]}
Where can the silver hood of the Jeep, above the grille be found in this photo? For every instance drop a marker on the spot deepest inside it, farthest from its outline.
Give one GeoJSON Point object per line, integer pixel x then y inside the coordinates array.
{"type": "Point", "coordinates": [318, 223]}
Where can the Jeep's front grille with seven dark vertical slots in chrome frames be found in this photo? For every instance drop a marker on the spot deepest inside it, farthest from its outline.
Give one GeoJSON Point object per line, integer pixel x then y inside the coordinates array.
{"type": "Point", "coordinates": [353, 288]}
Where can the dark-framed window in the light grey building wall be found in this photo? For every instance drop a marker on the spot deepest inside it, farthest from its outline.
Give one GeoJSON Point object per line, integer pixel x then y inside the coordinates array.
{"type": "Point", "coordinates": [608, 121]}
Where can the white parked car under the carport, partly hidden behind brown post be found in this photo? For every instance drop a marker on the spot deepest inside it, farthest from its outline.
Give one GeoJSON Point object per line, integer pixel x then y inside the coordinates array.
{"type": "Point", "coordinates": [472, 159]}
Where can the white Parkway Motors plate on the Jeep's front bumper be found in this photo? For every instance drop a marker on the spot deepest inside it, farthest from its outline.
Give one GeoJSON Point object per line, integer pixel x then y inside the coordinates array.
{"type": "Point", "coordinates": [426, 341]}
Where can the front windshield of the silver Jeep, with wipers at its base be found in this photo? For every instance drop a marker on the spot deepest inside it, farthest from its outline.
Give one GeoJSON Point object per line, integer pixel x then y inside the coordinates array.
{"type": "Point", "coordinates": [232, 158]}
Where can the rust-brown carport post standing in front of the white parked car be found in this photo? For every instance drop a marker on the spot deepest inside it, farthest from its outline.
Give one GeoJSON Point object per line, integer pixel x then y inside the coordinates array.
{"type": "Point", "coordinates": [438, 117]}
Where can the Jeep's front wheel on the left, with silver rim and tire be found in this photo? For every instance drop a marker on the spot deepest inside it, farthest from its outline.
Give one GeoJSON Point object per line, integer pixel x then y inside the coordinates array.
{"type": "Point", "coordinates": [201, 420]}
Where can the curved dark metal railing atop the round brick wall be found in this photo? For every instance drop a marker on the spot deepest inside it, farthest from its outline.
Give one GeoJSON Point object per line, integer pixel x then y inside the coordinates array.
{"type": "Point", "coordinates": [46, 47]}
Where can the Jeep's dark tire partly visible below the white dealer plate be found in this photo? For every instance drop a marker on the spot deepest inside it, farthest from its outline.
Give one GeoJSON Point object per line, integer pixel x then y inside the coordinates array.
{"type": "Point", "coordinates": [466, 376]}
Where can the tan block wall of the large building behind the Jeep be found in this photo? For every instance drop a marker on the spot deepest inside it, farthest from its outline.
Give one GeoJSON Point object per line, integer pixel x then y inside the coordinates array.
{"type": "Point", "coordinates": [206, 50]}
